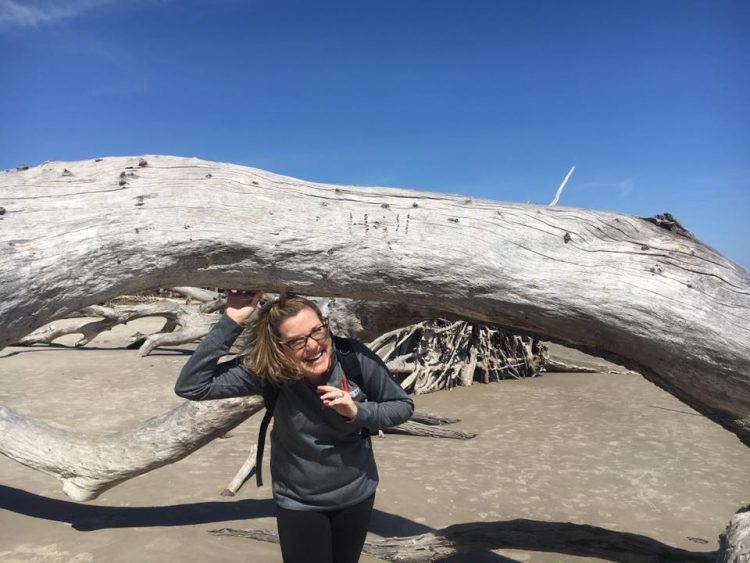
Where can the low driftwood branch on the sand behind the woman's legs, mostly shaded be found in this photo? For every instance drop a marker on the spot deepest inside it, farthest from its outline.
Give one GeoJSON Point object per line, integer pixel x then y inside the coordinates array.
{"type": "Point", "coordinates": [557, 537]}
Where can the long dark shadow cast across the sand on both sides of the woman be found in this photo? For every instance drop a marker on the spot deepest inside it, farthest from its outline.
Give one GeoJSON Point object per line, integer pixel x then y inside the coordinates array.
{"type": "Point", "coordinates": [474, 538]}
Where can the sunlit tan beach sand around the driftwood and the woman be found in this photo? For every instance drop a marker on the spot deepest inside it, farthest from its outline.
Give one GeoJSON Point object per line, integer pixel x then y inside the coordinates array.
{"type": "Point", "coordinates": [608, 450]}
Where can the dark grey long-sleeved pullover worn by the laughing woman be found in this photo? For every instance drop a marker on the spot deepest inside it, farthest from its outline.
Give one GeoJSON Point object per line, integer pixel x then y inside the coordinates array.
{"type": "Point", "coordinates": [319, 460]}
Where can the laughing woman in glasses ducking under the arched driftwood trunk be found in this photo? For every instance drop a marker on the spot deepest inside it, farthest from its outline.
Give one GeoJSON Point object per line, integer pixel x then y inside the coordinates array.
{"type": "Point", "coordinates": [323, 471]}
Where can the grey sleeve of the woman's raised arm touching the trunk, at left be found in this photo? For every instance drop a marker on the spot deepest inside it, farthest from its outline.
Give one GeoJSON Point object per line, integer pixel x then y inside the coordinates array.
{"type": "Point", "coordinates": [203, 377]}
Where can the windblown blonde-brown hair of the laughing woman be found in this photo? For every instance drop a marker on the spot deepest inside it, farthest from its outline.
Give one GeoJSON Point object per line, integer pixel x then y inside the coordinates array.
{"type": "Point", "coordinates": [265, 356]}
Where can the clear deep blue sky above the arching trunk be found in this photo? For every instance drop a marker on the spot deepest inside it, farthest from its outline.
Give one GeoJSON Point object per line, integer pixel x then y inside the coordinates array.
{"type": "Point", "coordinates": [650, 100]}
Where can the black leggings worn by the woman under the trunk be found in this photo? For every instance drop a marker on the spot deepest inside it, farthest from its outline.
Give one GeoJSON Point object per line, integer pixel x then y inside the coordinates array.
{"type": "Point", "coordinates": [333, 536]}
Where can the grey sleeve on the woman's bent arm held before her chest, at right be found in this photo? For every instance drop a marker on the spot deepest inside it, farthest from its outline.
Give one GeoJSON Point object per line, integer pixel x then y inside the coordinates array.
{"type": "Point", "coordinates": [387, 403]}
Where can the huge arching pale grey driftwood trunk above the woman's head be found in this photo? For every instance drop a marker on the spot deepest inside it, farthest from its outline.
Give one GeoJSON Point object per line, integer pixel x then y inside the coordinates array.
{"type": "Point", "coordinates": [607, 283]}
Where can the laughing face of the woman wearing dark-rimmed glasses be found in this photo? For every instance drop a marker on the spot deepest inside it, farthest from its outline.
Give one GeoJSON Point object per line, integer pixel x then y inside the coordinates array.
{"type": "Point", "coordinates": [313, 358]}
